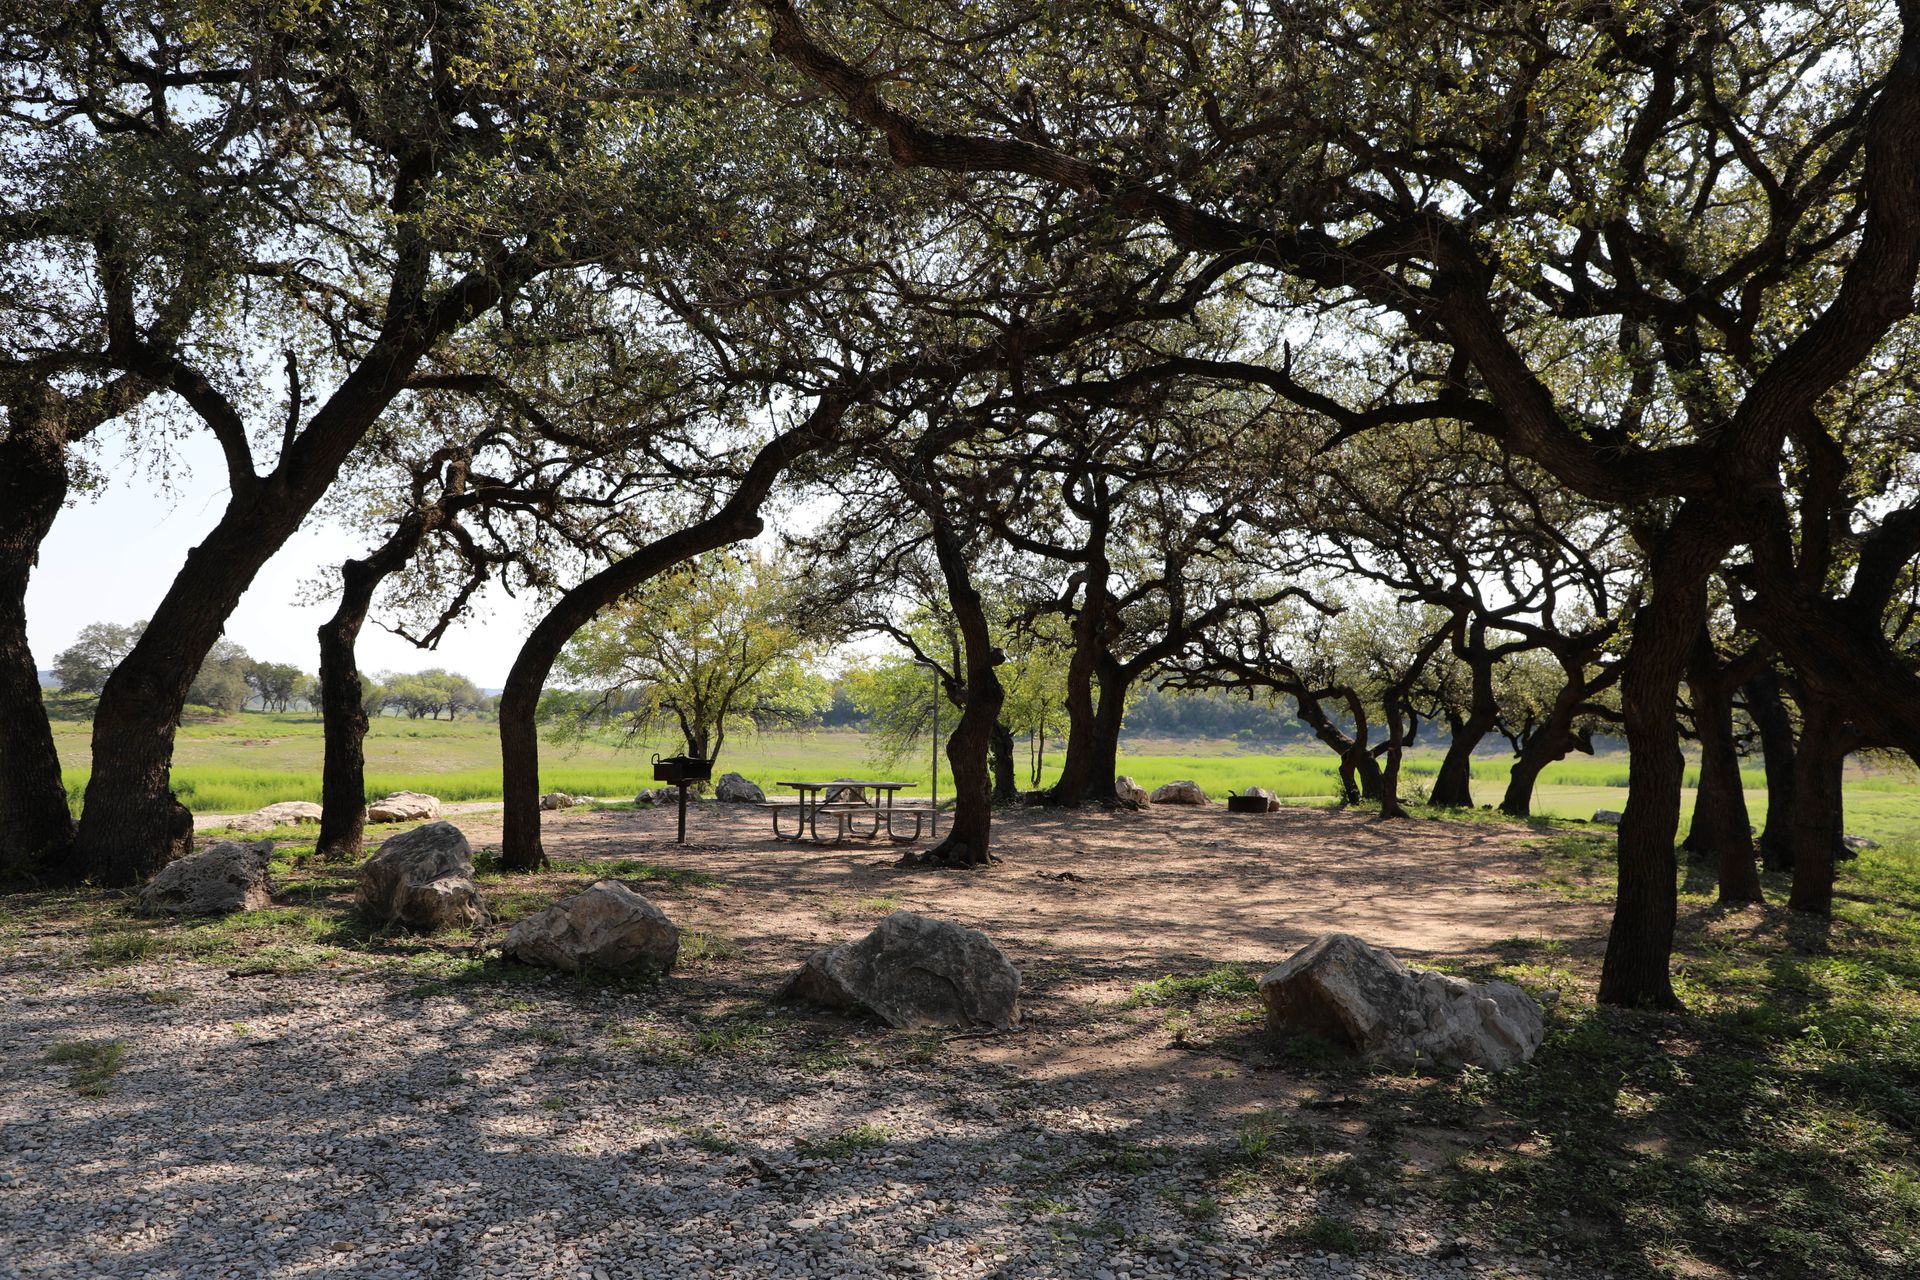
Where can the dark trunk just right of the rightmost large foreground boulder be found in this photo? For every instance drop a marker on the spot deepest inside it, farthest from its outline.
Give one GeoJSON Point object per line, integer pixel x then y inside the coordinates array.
{"type": "Point", "coordinates": [1641, 939]}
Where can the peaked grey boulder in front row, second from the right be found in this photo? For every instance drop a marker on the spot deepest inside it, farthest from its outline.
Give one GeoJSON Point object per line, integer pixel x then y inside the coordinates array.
{"type": "Point", "coordinates": [915, 972]}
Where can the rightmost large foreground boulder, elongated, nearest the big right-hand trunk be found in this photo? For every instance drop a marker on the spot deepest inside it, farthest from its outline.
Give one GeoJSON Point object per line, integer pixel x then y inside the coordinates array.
{"type": "Point", "coordinates": [1360, 997]}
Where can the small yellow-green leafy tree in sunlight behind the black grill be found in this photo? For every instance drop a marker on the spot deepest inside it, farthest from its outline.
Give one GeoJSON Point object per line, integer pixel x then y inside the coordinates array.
{"type": "Point", "coordinates": [719, 644]}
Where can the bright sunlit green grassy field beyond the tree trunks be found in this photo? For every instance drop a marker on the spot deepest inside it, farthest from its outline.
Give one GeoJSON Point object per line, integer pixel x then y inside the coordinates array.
{"type": "Point", "coordinates": [241, 763]}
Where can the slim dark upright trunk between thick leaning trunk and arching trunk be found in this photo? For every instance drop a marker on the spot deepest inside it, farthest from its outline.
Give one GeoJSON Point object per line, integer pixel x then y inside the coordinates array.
{"type": "Point", "coordinates": [343, 711]}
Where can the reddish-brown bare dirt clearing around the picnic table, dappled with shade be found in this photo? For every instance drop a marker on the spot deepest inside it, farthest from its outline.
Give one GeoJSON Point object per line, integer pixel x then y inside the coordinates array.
{"type": "Point", "coordinates": [1092, 905]}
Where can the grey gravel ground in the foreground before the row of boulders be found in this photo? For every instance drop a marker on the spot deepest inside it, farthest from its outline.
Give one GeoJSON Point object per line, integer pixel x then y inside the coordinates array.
{"type": "Point", "coordinates": [312, 1126]}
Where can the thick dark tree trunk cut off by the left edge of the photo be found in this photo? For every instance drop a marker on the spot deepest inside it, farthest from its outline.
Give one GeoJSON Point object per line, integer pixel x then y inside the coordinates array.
{"type": "Point", "coordinates": [36, 826]}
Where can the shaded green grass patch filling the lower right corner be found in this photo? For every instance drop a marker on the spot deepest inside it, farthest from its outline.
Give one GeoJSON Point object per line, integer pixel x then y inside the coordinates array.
{"type": "Point", "coordinates": [1771, 1129]}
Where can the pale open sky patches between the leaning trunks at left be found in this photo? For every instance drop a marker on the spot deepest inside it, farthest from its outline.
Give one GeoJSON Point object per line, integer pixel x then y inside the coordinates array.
{"type": "Point", "coordinates": [112, 557]}
